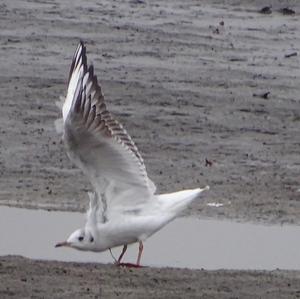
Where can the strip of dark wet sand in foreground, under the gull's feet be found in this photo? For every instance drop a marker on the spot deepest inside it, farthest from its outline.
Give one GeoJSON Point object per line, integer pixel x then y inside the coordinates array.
{"type": "Point", "coordinates": [41, 279]}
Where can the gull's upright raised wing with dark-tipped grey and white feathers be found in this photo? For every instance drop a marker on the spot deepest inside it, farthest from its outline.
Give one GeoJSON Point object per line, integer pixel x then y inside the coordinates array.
{"type": "Point", "coordinates": [99, 145]}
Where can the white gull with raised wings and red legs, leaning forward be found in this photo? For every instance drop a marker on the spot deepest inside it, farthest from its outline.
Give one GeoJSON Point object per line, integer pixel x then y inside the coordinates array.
{"type": "Point", "coordinates": [123, 208]}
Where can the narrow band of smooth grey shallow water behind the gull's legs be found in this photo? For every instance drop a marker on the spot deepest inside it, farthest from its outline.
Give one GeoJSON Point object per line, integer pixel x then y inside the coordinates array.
{"type": "Point", "coordinates": [186, 242]}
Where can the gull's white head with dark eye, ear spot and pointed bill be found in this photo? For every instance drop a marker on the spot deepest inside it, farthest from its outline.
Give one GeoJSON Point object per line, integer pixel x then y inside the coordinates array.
{"type": "Point", "coordinates": [81, 239]}
